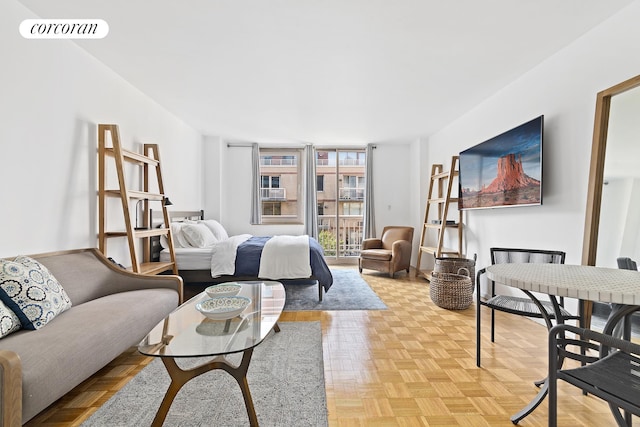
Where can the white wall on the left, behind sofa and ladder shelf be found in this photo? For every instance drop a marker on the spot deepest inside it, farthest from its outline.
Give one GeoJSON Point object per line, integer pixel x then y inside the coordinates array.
{"type": "Point", "coordinates": [53, 96]}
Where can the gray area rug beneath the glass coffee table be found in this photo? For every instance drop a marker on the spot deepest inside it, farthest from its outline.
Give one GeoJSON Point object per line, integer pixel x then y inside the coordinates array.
{"type": "Point", "coordinates": [286, 379]}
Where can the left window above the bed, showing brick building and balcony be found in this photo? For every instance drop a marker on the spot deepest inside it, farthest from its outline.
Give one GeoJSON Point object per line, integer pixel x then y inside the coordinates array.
{"type": "Point", "coordinates": [281, 183]}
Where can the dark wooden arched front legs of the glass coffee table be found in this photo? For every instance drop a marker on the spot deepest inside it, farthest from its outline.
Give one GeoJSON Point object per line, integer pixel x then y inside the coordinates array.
{"type": "Point", "coordinates": [179, 377]}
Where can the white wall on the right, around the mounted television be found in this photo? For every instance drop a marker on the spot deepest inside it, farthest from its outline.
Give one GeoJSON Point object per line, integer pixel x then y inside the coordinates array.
{"type": "Point", "coordinates": [564, 89]}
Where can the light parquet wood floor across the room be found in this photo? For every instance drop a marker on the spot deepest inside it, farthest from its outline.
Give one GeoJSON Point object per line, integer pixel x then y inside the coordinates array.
{"type": "Point", "coordinates": [410, 365]}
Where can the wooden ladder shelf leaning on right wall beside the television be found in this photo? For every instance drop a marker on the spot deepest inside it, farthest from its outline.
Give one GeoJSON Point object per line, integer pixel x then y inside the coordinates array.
{"type": "Point", "coordinates": [436, 216]}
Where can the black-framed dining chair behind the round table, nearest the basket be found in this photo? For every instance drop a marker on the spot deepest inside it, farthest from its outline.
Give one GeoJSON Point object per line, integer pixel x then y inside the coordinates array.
{"type": "Point", "coordinates": [522, 306]}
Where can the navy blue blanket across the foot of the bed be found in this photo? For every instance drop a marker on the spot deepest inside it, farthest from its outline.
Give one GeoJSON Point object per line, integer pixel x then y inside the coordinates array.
{"type": "Point", "coordinates": [250, 251]}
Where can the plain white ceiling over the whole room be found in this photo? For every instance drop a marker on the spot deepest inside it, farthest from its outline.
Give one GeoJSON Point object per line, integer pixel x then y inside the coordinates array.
{"type": "Point", "coordinates": [330, 71]}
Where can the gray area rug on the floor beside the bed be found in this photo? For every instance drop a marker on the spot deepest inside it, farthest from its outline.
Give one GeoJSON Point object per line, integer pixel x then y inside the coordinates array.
{"type": "Point", "coordinates": [348, 292]}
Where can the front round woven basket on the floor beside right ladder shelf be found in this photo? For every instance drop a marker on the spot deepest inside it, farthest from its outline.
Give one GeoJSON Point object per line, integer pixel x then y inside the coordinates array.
{"type": "Point", "coordinates": [451, 291]}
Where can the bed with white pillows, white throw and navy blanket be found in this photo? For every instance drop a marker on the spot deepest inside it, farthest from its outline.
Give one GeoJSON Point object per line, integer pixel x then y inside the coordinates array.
{"type": "Point", "coordinates": [205, 253]}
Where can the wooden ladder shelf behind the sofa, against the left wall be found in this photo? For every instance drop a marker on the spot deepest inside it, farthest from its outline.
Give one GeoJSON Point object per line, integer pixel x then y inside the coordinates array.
{"type": "Point", "coordinates": [148, 161]}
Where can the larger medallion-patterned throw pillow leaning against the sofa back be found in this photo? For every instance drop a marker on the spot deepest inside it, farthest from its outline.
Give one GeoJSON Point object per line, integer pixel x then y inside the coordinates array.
{"type": "Point", "coordinates": [31, 292]}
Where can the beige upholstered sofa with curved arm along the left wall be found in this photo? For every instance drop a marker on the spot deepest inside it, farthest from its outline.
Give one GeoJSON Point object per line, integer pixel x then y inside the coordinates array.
{"type": "Point", "coordinates": [112, 310]}
